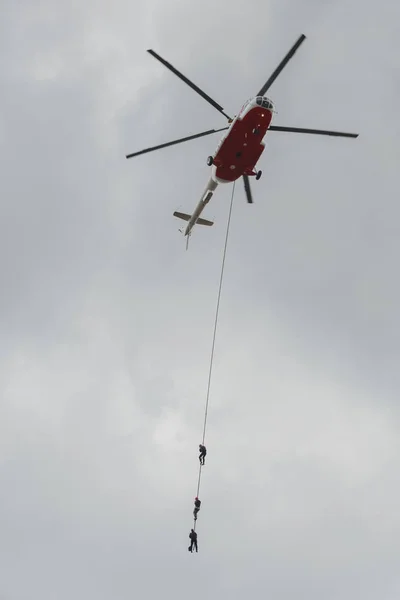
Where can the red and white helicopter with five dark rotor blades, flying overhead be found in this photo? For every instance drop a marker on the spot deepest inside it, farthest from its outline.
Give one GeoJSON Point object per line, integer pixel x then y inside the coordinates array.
{"type": "Point", "coordinates": [241, 147]}
